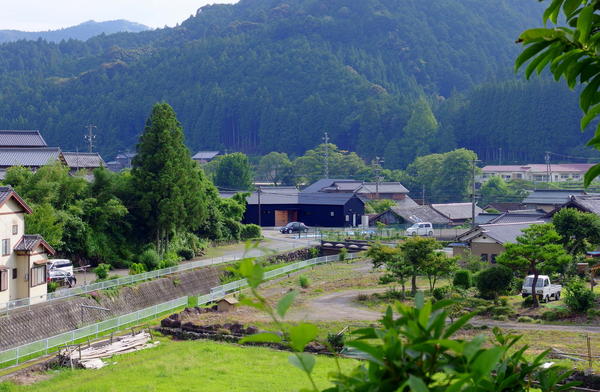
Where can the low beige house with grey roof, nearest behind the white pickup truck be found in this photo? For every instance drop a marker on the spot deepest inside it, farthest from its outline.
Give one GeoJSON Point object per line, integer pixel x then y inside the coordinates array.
{"type": "Point", "coordinates": [488, 241]}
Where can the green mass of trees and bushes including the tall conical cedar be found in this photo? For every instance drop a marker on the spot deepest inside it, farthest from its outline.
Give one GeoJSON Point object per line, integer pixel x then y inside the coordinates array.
{"type": "Point", "coordinates": [165, 204]}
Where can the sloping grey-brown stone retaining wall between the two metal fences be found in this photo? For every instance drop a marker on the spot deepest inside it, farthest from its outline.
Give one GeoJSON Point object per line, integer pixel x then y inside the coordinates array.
{"type": "Point", "coordinates": [55, 317]}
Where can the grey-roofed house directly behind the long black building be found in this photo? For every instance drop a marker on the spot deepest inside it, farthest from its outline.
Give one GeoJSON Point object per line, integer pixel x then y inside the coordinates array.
{"type": "Point", "coordinates": [367, 190]}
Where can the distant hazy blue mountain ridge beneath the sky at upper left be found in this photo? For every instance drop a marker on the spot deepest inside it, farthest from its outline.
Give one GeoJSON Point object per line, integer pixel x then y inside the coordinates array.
{"type": "Point", "coordinates": [82, 31]}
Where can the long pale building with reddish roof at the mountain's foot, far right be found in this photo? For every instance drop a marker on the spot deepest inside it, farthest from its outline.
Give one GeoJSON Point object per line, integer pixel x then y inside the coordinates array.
{"type": "Point", "coordinates": [536, 172]}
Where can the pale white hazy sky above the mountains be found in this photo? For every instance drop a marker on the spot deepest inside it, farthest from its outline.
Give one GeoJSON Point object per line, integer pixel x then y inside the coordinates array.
{"type": "Point", "coordinates": [35, 15]}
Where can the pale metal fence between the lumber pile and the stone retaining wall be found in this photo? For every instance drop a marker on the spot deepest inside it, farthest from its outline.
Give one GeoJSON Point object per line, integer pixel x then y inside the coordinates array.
{"type": "Point", "coordinates": [44, 346]}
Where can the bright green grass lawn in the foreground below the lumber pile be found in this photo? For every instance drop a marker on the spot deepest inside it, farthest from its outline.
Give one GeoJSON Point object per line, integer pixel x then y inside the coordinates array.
{"type": "Point", "coordinates": [190, 366]}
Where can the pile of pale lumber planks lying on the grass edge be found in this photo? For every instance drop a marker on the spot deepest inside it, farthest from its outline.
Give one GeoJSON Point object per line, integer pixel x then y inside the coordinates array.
{"type": "Point", "coordinates": [90, 356]}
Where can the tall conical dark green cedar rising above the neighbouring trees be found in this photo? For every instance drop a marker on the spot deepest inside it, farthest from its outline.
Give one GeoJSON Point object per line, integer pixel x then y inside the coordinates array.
{"type": "Point", "coordinates": [168, 184]}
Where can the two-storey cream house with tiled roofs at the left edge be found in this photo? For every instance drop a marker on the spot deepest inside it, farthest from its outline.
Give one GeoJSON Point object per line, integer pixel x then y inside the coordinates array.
{"type": "Point", "coordinates": [23, 260]}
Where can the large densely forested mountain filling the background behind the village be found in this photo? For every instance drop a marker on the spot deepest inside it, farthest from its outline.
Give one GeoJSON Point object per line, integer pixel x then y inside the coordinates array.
{"type": "Point", "coordinates": [265, 75]}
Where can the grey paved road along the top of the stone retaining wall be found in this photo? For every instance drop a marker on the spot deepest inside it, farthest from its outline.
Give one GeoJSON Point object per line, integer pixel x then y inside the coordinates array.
{"type": "Point", "coordinates": [274, 242]}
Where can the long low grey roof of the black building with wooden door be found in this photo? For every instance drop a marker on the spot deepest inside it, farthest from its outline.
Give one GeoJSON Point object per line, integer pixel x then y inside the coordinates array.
{"type": "Point", "coordinates": [318, 198]}
